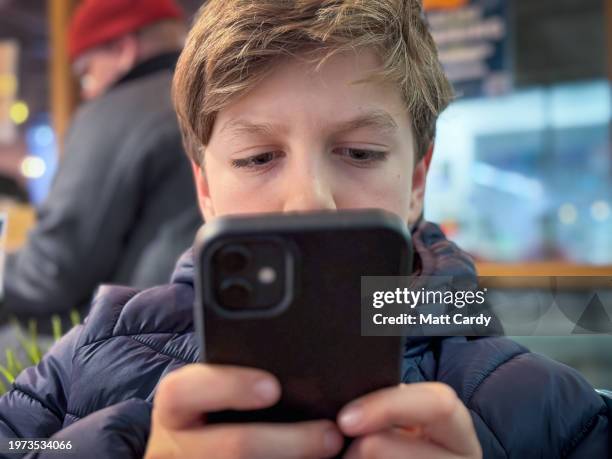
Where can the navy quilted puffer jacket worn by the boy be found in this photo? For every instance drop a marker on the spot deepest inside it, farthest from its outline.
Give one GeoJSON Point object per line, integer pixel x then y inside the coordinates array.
{"type": "Point", "coordinates": [96, 385]}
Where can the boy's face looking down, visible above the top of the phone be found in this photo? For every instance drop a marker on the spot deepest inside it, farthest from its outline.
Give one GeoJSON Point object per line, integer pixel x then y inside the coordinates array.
{"type": "Point", "coordinates": [304, 140]}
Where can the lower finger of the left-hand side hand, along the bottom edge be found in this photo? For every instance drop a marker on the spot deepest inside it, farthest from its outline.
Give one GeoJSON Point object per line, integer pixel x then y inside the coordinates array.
{"type": "Point", "coordinates": [313, 439]}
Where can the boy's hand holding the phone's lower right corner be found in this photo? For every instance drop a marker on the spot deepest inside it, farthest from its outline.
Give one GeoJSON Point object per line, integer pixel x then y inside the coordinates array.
{"type": "Point", "coordinates": [421, 420]}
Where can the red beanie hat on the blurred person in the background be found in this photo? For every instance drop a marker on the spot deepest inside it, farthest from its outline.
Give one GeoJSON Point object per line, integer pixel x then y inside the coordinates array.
{"type": "Point", "coordinates": [96, 22]}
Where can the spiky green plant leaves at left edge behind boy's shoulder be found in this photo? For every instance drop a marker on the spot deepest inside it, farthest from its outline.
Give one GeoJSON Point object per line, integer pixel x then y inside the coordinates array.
{"type": "Point", "coordinates": [30, 343]}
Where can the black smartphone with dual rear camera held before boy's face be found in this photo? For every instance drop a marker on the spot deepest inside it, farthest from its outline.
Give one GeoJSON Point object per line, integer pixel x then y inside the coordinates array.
{"type": "Point", "coordinates": [282, 292]}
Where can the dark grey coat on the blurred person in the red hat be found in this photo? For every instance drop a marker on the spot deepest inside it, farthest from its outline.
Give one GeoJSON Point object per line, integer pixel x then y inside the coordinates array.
{"type": "Point", "coordinates": [122, 207]}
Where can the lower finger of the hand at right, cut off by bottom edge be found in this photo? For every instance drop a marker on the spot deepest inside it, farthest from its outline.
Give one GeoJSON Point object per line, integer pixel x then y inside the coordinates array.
{"type": "Point", "coordinates": [392, 444]}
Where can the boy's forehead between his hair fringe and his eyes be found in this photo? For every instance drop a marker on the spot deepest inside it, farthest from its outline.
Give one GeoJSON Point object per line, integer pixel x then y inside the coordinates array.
{"type": "Point", "coordinates": [338, 92]}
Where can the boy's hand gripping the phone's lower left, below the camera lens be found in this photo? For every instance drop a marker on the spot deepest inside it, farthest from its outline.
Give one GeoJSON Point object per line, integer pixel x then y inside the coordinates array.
{"type": "Point", "coordinates": [178, 428]}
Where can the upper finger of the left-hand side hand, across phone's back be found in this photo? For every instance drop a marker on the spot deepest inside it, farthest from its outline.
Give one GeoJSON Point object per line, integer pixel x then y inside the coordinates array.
{"type": "Point", "coordinates": [186, 394]}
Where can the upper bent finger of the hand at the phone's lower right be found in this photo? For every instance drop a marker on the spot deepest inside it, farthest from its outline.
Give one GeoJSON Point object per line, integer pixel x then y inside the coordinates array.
{"type": "Point", "coordinates": [434, 406]}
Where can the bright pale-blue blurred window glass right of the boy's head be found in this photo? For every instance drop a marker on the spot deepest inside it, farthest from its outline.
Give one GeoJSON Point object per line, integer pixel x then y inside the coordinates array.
{"type": "Point", "coordinates": [527, 176]}
